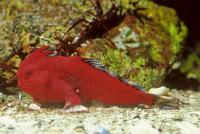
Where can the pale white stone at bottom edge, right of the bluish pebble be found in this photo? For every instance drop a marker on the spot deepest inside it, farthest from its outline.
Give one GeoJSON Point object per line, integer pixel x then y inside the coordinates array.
{"type": "Point", "coordinates": [143, 127]}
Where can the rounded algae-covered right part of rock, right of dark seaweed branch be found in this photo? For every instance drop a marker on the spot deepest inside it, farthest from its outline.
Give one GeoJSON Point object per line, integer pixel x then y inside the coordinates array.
{"type": "Point", "coordinates": [147, 47]}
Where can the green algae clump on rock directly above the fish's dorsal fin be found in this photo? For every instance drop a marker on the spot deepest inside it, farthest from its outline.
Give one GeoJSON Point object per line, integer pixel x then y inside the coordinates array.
{"type": "Point", "coordinates": [120, 62]}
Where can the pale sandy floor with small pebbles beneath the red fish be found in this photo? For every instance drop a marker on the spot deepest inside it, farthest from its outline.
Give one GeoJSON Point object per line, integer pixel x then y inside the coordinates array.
{"type": "Point", "coordinates": [112, 120]}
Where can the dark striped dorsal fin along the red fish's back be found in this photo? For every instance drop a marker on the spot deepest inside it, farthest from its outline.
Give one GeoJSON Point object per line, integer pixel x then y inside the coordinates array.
{"type": "Point", "coordinates": [97, 64]}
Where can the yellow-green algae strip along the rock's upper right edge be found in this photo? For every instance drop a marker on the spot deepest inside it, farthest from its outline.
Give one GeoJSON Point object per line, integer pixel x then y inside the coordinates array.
{"type": "Point", "coordinates": [168, 20]}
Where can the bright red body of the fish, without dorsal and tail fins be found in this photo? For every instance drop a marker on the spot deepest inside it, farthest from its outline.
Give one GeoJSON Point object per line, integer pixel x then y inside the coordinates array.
{"type": "Point", "coordinates": [72, 81]}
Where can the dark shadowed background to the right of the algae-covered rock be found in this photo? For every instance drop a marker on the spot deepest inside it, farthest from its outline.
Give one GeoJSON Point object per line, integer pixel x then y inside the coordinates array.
{"type": "Point", "coordinates": [189, 63]}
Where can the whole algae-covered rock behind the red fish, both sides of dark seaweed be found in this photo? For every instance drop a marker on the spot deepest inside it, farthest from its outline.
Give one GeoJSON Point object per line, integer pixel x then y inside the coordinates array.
{"type": "Point", "coordinates": [143, 47]}
